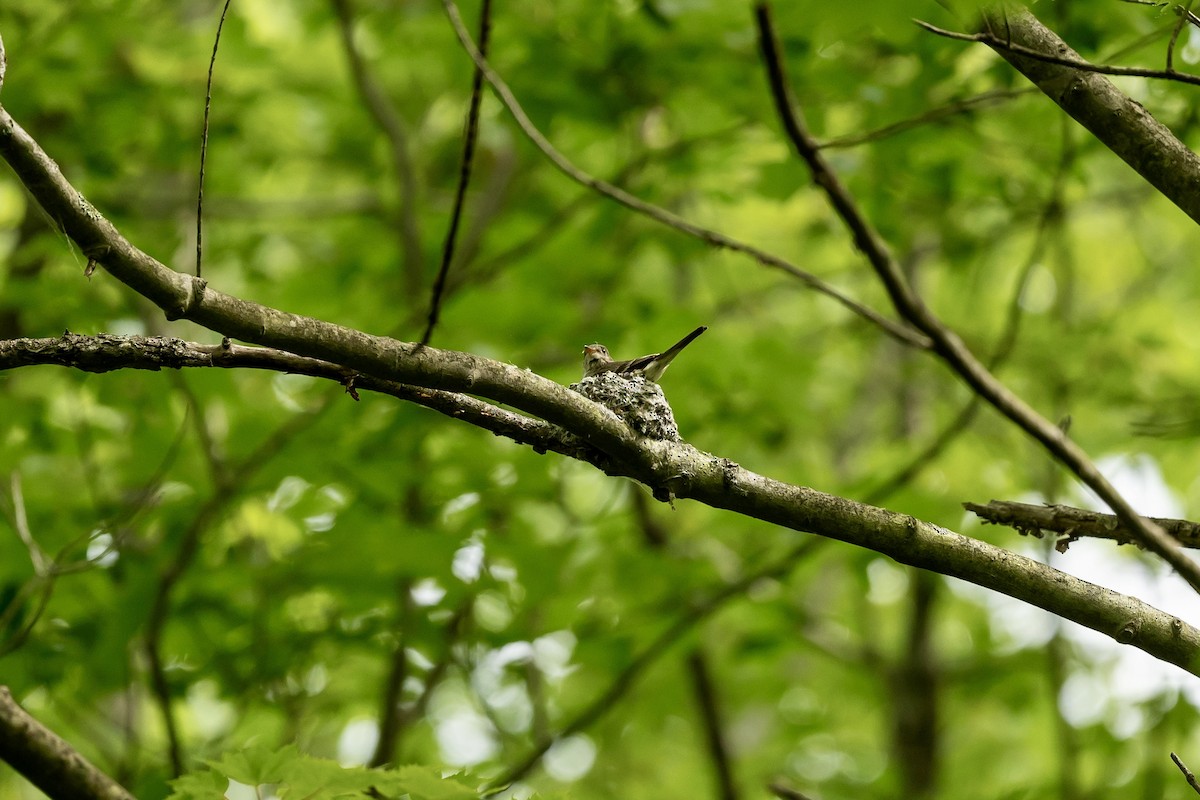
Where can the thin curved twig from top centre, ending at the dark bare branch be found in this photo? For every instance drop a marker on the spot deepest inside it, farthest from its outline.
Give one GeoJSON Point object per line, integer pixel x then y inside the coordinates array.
{"type": "Point", "coordinates": [661, 215]}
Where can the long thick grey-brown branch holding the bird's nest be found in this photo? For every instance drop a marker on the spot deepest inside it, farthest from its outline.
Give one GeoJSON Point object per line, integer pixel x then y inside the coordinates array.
{"type": "Point", "coordinates": [670, 468]}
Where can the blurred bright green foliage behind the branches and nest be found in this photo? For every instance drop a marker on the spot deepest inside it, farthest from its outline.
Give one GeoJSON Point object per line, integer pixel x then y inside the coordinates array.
{"type": "Point", "coordinates": [521, 586]}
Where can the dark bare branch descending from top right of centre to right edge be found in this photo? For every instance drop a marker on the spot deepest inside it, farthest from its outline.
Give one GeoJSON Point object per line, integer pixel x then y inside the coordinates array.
{"type": "Point", "coordinates": [946, 344]}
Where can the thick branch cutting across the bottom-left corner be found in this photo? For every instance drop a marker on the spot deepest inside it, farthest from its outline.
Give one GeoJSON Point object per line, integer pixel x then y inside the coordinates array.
{"type": "Point", "coordinates": [49, 762]}
